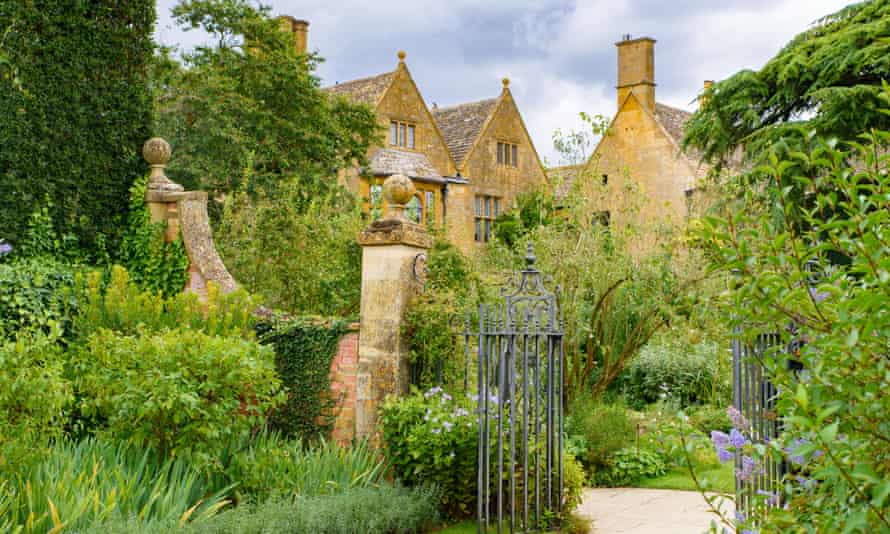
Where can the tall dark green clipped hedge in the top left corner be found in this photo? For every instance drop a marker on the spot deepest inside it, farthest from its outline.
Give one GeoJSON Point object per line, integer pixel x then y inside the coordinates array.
{"type": "Point", "coordinates": [72, 125]}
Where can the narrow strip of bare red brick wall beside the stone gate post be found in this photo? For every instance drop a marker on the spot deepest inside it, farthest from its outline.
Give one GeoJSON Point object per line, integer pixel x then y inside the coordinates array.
{"type": "Point", "coordinates": [344, 367]}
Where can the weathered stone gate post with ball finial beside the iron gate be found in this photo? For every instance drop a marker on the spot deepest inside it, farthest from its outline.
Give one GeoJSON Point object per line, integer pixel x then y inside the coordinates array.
{"type": "Point", "coordinates": [393, 264]}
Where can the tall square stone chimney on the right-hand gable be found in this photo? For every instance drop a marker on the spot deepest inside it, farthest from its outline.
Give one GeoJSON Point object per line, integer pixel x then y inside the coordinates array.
{"type": "Point", "coordinates": [636, 70]}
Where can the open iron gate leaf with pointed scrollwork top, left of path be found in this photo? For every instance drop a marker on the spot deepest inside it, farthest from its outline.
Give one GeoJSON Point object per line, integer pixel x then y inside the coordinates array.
{"type": "Point", "coordinates": [519, 377]}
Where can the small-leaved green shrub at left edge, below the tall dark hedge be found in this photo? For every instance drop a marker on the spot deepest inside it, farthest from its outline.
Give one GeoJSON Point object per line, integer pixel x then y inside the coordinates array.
{"type": "Point", "coordinates": [39, 294]}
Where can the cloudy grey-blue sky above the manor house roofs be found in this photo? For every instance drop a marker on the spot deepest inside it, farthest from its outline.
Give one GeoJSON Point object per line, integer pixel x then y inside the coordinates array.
{"type": "Point", "coordinates": [559, 54]}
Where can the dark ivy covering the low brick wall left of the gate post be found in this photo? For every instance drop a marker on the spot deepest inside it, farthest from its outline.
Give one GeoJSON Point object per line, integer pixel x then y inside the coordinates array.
{"type": "Point", "coordinates": [304, 350]}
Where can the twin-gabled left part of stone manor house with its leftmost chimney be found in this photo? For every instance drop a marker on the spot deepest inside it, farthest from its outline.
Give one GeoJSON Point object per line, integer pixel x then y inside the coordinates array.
{"type": "Point", "coordinates": [468, 161]}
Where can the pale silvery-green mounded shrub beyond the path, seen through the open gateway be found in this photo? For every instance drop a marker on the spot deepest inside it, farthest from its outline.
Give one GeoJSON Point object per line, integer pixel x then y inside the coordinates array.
{"type": "Point", "coordinates": [670, 367]}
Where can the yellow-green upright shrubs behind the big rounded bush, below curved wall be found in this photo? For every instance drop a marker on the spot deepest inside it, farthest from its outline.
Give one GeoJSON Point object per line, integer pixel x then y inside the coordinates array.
{"type": "Point", "coordinates": [124, 307]}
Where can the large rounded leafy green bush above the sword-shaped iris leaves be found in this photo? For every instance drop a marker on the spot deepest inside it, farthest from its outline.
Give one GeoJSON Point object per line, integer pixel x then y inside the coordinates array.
{"type": "Point", "coordinates": [179, 391]}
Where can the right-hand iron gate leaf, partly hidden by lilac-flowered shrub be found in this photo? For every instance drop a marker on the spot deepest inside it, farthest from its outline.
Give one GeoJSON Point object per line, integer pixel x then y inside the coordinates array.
{"type": "Point", "coordinates": [754, 396]}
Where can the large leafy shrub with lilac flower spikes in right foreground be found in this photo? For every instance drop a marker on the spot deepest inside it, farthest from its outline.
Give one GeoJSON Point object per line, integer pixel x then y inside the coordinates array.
{"type": "Point", "coordinates": [820, 274]}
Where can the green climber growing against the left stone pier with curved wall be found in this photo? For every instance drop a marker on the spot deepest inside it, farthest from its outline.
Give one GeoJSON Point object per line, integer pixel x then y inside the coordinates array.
{"type": "Point", "coordinates": [155, 265]}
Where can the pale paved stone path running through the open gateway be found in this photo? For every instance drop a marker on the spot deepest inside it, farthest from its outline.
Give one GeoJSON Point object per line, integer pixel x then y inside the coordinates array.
{"type": "Point", "coordinates": [646, 511]}
